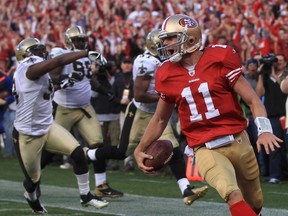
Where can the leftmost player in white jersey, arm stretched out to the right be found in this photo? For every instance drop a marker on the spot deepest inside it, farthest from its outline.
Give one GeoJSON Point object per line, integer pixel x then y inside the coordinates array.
{"type": "Point", "coordinates": [34, 128]}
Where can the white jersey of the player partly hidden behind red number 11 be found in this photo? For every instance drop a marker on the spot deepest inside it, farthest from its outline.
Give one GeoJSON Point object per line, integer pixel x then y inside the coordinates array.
{"type": "Point", "coordinates": [146, 65]}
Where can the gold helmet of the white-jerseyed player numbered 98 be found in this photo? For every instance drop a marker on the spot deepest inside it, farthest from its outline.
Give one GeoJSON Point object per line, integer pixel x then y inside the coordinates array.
{"type": "Point", "coordinates": [76, 38]}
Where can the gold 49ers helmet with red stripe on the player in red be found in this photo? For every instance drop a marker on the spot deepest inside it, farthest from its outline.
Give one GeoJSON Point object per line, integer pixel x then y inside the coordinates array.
{"type": "Point", "coordinates": [189, 37]}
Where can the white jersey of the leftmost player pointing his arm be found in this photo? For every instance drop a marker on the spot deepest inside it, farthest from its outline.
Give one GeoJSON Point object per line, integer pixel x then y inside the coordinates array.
{"type": "Point", "coordinates": [33, 100]}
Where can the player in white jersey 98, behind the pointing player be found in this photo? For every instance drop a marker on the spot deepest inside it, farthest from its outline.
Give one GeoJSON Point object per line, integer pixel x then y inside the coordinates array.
{"type": "Point", "coordinates": [74, 108]}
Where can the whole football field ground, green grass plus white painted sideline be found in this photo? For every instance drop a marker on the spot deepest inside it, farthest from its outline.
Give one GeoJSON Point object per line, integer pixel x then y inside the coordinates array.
{"type": "Point", "coordinates": [144, 195]}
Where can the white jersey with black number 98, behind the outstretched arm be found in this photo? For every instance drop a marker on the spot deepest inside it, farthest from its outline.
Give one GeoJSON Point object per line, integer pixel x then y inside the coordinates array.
{"type": "Point", "coordinates": [79, 94]}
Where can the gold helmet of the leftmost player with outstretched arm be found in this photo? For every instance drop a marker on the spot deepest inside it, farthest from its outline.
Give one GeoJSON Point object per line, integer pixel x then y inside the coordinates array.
{"type": "Point", "coordinates": [29, 47]}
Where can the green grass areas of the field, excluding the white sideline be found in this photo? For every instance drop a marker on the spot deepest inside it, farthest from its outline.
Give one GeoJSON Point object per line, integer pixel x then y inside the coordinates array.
{"type": "Point", "coordinates": [138, 183]}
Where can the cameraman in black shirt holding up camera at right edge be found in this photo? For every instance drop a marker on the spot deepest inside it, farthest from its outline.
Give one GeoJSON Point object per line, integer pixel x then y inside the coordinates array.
{"type": "Point", "coordinates": [268, 85]}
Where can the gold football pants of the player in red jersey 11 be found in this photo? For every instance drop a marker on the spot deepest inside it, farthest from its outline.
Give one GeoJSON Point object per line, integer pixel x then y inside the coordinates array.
{"type": "Point", "coordinates": [231, 168]}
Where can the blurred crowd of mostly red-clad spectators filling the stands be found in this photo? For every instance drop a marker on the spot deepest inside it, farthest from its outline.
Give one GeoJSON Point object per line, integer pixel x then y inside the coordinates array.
{"type": "Point", "coordinates": [118, 28]}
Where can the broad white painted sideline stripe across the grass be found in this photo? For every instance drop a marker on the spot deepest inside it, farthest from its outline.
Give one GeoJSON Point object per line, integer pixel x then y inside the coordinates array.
{"type": "Point", "coordinates": [130, 204]}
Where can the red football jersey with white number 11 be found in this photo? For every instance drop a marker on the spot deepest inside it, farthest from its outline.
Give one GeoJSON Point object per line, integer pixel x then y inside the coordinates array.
{"type": "Point", "coordinates": [207, 104]}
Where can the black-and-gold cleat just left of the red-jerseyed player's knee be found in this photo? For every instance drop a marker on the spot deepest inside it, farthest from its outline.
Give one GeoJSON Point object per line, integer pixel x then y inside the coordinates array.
{"type": "Point", "coordinates": [191, 194]}
